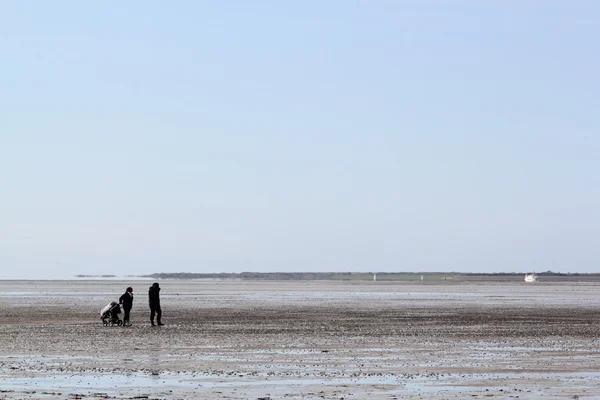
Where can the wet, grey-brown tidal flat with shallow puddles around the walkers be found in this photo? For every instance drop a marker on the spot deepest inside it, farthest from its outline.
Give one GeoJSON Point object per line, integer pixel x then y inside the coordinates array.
{"type": "Point", "coordinates": [302, 340]}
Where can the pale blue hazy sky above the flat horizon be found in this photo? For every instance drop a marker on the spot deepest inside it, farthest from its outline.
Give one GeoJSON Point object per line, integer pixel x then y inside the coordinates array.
{"type": "Point", "coordinates": [280, 136]}
